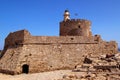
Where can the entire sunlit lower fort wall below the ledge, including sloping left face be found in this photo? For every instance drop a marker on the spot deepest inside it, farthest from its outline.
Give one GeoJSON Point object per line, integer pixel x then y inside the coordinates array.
{"type": "Point", "coordinates": [46, 57]}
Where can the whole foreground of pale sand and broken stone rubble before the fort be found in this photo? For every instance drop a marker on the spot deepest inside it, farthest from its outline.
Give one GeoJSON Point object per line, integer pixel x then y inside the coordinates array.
{"type": "Point", "coordinates": [104, 67]}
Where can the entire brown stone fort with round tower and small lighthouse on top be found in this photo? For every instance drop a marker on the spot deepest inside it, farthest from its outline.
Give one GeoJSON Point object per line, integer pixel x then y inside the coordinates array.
{"type": "Point", "coordinates": [24, 53]}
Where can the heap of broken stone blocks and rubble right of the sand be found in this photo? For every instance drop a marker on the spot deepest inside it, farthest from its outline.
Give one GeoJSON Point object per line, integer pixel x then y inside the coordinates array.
{"type": "Point", "coordinates": [101, 68]}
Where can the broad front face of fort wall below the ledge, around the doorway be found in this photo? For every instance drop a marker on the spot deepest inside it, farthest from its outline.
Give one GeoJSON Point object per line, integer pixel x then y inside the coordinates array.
{"type": "Point", "coordinates": [54, 56]}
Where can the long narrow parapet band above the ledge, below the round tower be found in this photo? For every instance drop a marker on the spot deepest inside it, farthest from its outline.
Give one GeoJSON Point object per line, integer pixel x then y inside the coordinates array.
{"type": "Point", "coordinates": [61, 39]}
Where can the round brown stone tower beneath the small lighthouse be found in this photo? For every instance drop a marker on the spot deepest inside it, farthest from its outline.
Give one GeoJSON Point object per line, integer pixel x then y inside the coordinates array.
{"type": "Point", "coordinates": [75, 27]}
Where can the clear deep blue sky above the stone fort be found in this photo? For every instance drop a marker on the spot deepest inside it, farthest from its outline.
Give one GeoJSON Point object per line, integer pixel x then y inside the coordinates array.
{"type": "Point", "coordinates": [42, 17]}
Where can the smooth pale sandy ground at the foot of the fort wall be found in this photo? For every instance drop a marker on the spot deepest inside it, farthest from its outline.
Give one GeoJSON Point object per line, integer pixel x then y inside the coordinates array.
{"type": "Point", "coordinates": [53, 75]}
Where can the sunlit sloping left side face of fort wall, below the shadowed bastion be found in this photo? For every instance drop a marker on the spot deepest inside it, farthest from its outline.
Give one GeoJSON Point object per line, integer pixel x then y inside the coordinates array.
{"type": "Point", "coordinates": [9, 61]}
